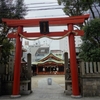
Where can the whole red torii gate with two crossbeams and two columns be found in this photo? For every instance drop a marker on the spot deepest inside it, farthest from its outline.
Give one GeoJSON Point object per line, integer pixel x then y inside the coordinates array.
{"type": "Point", "coordinates": [69, 21]}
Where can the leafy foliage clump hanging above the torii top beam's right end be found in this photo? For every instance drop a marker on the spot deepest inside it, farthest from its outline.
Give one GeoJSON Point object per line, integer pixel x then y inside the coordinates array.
{"type": "Point", "coordinates": [74, 7]}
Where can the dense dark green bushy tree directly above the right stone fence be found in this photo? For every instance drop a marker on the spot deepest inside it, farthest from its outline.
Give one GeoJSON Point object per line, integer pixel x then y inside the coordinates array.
{"type": "Point", "coordinates": [90, 48]}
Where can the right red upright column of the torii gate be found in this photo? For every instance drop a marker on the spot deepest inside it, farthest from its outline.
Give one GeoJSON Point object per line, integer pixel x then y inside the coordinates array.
{"type": "Point", "coordinates": [73, 63]}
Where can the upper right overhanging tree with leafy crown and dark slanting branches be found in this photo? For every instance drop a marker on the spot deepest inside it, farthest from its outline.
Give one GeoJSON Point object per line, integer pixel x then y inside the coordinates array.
{"type": "Point", "coordinates": [78, 7]}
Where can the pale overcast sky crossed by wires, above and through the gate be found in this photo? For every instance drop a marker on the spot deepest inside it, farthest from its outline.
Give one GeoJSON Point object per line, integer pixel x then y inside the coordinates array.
{"type": "Point", "coordinates": [37, 7]}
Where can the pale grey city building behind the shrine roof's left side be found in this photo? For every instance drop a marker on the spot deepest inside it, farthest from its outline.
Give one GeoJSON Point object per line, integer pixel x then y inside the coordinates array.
{"type": "Point", "coordinates": [36, 50]}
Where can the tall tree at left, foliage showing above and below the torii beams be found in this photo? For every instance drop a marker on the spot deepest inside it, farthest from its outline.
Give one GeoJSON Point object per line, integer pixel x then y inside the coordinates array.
{"type": "Point", "coordinates": [16, 10]}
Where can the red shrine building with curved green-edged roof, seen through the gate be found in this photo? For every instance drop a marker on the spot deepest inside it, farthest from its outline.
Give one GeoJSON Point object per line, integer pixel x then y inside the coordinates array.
{"type": "Point", "coordinates": [49, 65]}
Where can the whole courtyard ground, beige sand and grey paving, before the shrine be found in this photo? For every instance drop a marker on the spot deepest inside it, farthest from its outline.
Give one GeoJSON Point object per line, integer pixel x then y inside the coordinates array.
{"type": "Point", "coordinates": [43, 91]}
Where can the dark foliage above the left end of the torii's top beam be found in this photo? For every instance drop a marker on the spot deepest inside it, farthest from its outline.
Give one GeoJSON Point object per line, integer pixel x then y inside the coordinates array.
{"type": "Point", "coordinates": [12, 10]}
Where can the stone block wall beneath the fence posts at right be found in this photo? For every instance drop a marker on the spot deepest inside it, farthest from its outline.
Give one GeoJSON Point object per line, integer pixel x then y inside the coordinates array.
{"type": "Point", "coordinates": [90, 85]}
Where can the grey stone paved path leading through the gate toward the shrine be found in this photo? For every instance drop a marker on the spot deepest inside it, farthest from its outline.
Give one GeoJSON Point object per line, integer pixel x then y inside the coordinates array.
{"type": "Point", "coordinates": [48, 92]}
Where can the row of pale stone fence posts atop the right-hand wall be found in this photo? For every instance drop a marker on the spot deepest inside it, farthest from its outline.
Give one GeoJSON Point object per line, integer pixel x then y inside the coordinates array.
{"type": "Point", "coordinates": [89, 68]}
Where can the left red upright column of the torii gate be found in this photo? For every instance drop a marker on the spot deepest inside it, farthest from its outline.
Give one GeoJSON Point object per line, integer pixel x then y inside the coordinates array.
{"type": "Point", "coordinates": [18, 52]}
